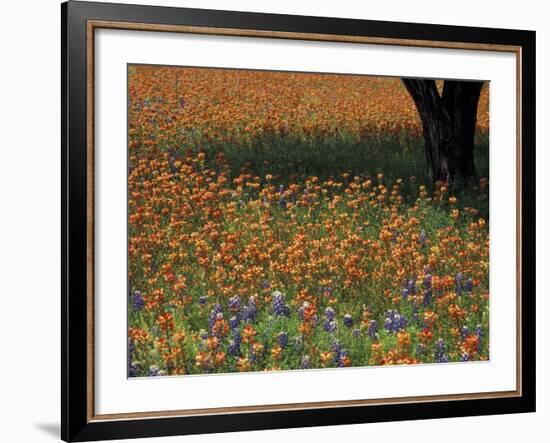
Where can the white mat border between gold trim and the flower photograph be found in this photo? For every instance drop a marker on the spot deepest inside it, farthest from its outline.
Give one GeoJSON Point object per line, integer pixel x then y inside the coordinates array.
{"type": "Point", "coordinates": [117, 394]}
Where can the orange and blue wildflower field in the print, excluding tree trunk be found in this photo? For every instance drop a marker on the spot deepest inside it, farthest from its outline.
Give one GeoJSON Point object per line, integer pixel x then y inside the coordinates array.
{"type": "Point", "coordinates": [283, 221]}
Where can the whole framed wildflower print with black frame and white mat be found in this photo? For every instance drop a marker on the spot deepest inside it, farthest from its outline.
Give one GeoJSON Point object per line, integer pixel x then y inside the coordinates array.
{"type": "Point", "coordinates": [277, 221]}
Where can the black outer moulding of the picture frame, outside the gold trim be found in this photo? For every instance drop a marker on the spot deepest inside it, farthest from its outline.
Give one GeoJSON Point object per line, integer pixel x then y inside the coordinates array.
{"type": "Point", "coordinates": [76, 424]}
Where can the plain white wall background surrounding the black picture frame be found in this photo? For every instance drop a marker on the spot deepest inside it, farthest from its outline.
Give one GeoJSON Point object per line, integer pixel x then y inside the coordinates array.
{"type": "Point", "coordinates": [30, 207]}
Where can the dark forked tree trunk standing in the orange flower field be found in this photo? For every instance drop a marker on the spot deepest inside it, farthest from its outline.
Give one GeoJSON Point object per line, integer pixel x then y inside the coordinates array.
{"type": "Point", "coordinates": [448, 125]}
